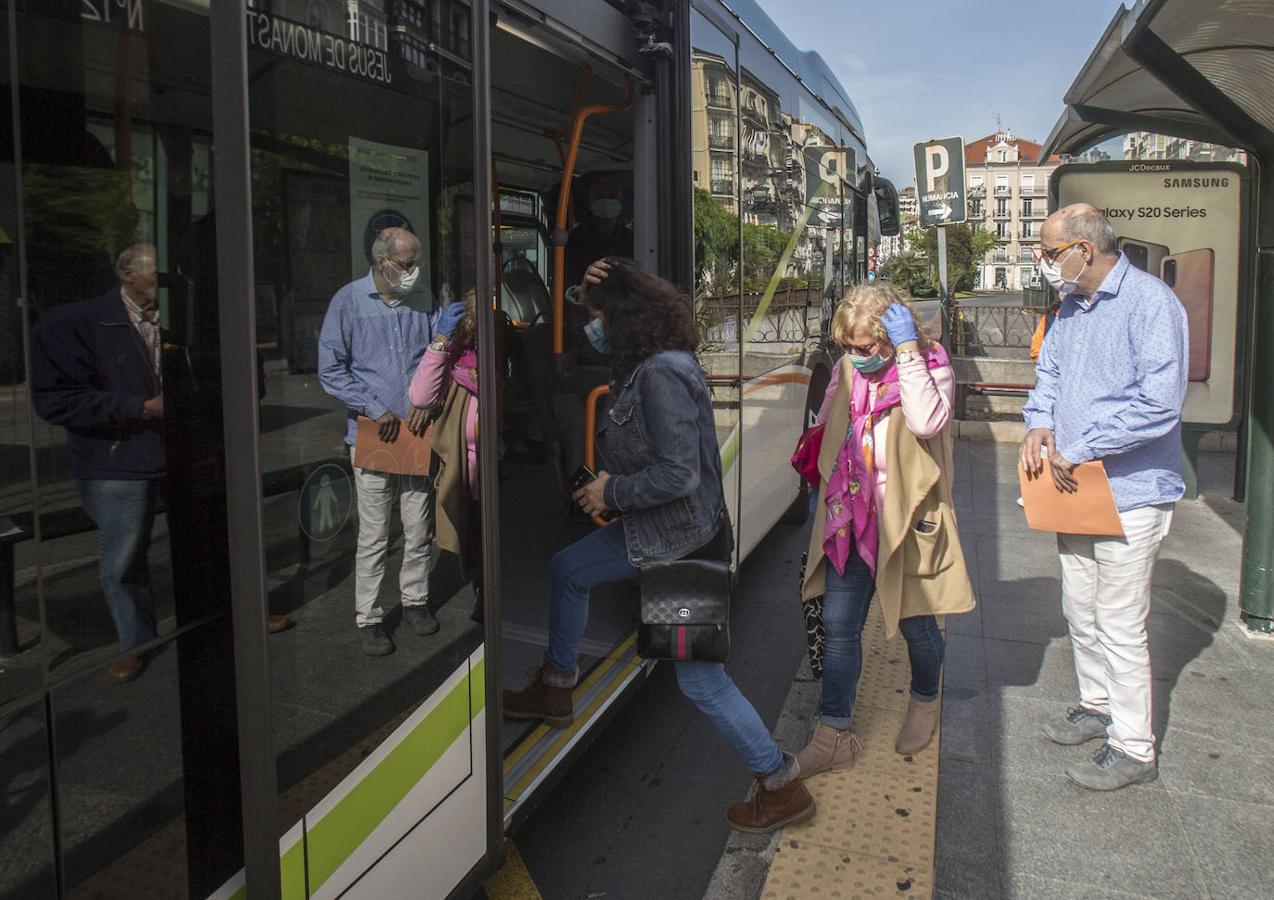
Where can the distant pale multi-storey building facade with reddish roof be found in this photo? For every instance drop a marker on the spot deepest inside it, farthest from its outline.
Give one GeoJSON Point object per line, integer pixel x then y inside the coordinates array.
{"type": "Point", "coordinates": [1008, 194]}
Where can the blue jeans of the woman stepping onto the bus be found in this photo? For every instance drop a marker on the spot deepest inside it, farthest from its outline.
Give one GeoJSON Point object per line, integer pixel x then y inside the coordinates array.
{"type": "Point", "coordinates": [602, 558]}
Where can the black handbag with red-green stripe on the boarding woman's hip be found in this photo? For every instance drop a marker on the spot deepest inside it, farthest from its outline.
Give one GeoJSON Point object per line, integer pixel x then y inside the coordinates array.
{"type": "Point", "coordinates": [686, 611]}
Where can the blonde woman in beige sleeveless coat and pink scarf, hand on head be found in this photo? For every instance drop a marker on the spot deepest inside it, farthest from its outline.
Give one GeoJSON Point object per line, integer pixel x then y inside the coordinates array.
{"type": "Point", "coordinates": [885, 522]}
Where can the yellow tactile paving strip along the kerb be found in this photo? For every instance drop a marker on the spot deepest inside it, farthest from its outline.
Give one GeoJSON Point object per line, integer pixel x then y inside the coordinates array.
{"type": "Point", "coordinates": [875, 832]}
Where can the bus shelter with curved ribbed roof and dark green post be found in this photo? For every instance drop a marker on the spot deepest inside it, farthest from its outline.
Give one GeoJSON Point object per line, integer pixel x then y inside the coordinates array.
{"type": "Point", "coordinates": [1205, 72]}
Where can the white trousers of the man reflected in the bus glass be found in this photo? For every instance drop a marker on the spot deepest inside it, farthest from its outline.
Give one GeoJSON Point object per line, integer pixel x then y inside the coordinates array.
{"type": "Point", "coordinates": [376, 495]}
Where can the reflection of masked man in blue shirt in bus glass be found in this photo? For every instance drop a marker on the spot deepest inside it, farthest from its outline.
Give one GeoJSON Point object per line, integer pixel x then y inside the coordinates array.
{"type": "Point", "coordinates": [374, 336]}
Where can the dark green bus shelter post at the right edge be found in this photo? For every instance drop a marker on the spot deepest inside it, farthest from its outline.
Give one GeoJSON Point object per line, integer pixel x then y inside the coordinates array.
{"type": "Point", "coordinates": [1257, 591]}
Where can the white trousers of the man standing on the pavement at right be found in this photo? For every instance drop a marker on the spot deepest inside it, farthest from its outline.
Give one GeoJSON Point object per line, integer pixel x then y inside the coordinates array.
{"type": "Point", "coordinates": [1106, 597]}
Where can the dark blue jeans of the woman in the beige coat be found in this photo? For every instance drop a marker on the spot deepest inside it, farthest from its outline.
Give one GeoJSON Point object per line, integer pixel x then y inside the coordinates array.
{"type": "Point", "coordinates": [845, 611]}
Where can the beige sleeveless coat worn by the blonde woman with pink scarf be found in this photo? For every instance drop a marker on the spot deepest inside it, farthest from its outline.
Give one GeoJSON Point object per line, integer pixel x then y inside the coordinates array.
{"type": "Point", "coordinates": [919, 570]}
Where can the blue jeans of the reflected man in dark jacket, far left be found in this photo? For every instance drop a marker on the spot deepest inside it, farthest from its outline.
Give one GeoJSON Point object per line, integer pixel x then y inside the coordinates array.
{"type": "Point", "coordinates": [124, 513]}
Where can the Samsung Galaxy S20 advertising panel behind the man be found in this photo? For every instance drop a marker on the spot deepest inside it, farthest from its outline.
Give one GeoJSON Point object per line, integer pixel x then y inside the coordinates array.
{"type": "Point", "coordinates": [1182, 222]}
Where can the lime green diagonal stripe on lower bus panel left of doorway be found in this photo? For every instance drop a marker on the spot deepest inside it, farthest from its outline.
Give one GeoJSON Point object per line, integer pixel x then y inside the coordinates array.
{"type": "Point", "coordinates": [334, 838]}
